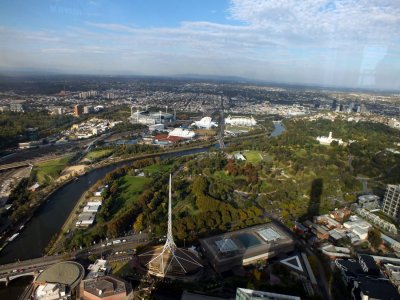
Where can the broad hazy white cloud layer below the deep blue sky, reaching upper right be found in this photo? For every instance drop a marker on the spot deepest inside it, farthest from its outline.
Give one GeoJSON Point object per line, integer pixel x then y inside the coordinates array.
{"type": "Point", "coordinates": [304, 41]}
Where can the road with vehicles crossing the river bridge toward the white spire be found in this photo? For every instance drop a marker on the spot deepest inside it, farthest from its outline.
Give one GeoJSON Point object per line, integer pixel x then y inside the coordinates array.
{"type": "Point", "coordinates": [123, 246]}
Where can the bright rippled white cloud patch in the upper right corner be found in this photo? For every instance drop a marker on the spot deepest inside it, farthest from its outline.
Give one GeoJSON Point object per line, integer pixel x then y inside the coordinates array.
{"type": "Point", "coordinates": [322, 20]}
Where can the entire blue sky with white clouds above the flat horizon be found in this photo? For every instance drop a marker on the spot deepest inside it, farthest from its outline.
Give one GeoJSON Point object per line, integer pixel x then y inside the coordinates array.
{"type": "Point", "coordinates": [348, 43]}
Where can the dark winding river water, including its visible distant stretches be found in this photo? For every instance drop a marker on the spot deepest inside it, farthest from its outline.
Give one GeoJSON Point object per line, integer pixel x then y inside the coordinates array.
{"type": "Point", "coordinates": [49, 218]}
